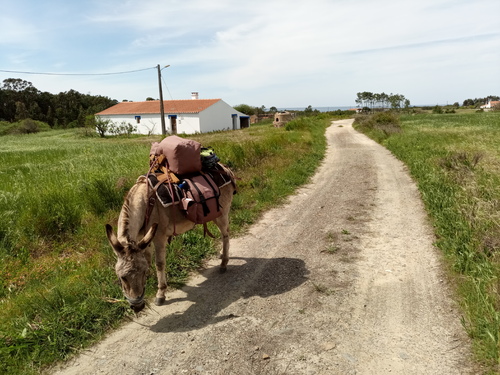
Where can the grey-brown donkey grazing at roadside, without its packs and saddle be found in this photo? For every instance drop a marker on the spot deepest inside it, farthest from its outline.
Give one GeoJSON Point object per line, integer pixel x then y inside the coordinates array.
{"type": "Point", "coordinates": [133, 239]}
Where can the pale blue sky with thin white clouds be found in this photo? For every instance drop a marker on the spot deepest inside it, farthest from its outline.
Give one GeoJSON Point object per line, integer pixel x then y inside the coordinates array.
{"type": "Point", "coordinates": [272, 53]}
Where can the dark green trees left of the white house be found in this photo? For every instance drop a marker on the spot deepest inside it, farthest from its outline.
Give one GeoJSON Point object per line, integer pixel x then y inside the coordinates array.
{"type": "Point", "coordinates": [20, 100]}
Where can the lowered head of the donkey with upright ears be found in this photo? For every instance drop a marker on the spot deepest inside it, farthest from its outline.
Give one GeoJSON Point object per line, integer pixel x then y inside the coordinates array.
{"type": "Point", "coordinates": [132, 266]}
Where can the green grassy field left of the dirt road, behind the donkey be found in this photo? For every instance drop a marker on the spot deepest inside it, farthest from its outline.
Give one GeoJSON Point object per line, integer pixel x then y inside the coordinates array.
{"type": "Point", "coordinates": [58, 290]}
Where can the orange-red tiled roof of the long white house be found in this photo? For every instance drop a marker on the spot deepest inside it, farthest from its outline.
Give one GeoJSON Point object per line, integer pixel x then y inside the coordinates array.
{"type": "Point", "coordinates": [153, 106]}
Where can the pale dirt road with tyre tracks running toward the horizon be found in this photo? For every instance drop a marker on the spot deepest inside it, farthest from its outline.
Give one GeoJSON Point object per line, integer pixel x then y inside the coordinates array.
{"type": "Point", "coordinates": [342, 280]}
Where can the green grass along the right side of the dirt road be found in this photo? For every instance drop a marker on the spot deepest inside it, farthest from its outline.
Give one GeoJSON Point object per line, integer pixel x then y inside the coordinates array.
{"type": "Point", "coordinates": [455, 160]}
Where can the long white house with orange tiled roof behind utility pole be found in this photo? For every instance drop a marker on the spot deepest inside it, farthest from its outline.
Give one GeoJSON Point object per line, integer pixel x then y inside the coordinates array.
{"type": "Point", "coordinates": [190, 115]}
